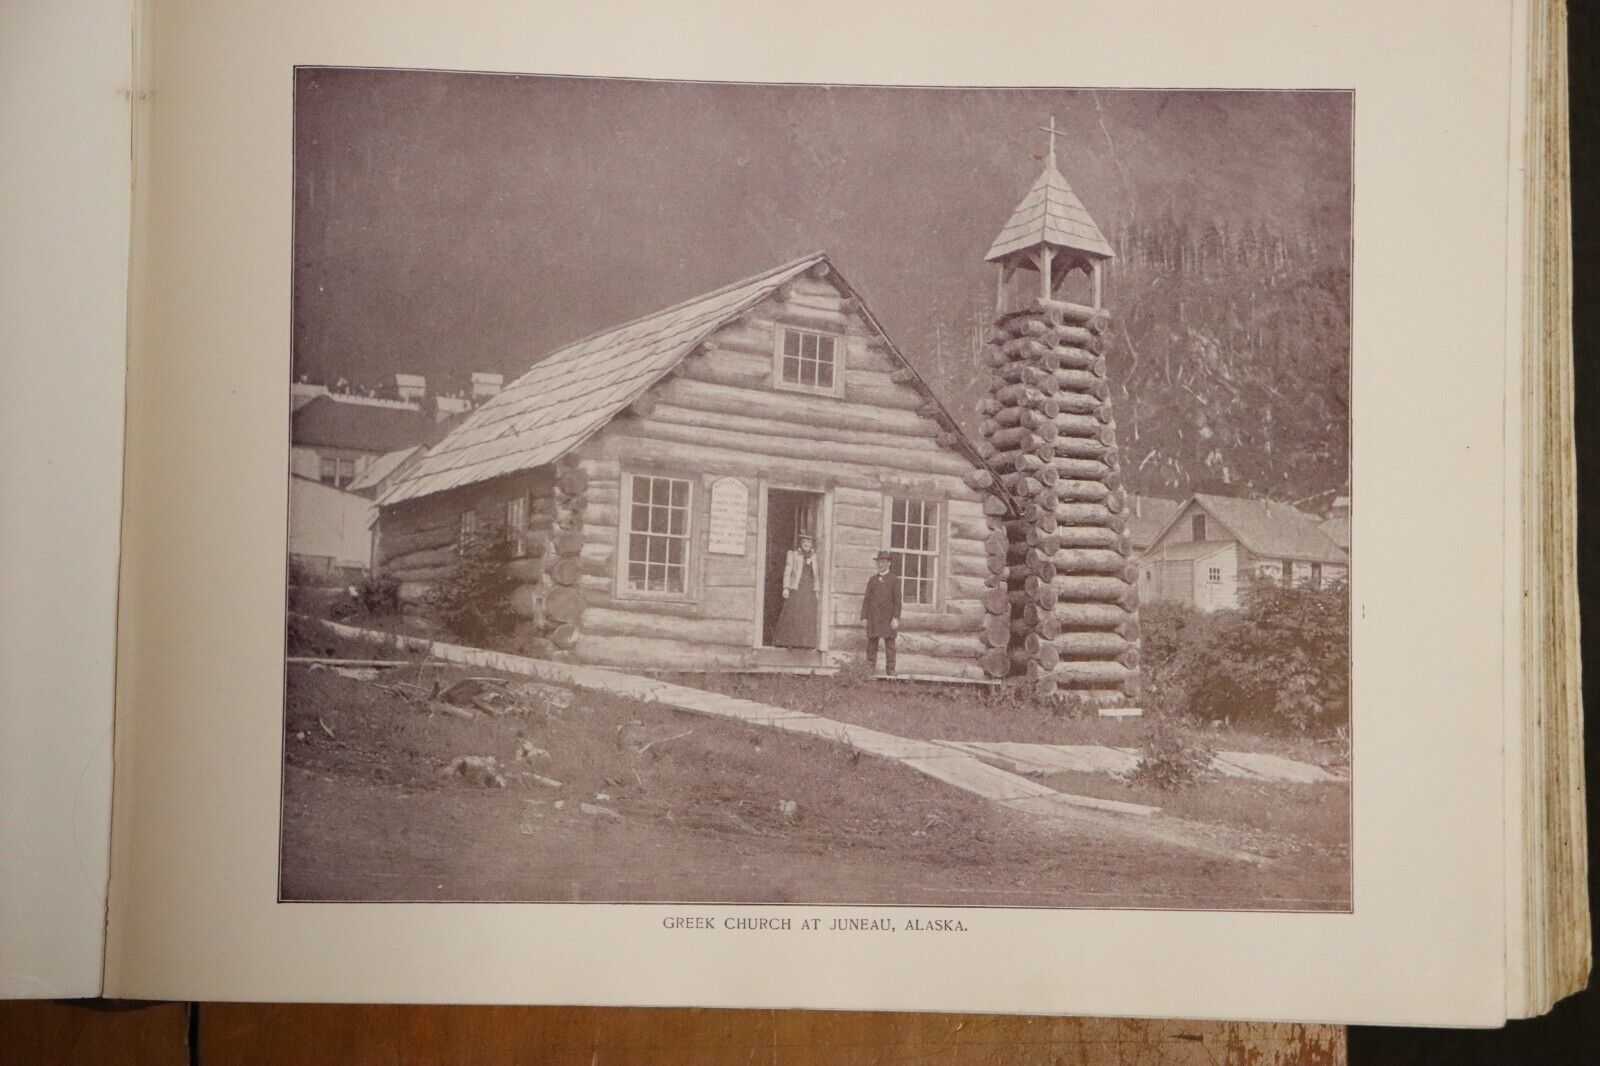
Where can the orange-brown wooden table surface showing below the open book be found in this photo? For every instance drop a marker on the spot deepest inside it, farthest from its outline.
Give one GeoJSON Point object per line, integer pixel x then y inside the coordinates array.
{"type": "Point", "coordinates": [159, 1035]}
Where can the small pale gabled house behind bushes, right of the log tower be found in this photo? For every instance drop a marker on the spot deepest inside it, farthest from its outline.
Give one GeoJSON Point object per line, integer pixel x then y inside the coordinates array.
{"type": "Point", "coordinates": [1215, 542]}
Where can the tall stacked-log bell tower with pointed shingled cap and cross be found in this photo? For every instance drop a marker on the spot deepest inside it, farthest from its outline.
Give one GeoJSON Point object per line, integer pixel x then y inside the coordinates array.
{"type": "Point", "coordinates": [1063, 582]}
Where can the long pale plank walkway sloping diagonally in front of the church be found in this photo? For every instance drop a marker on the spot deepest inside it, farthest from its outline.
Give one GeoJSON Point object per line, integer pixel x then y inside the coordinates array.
{"type": "Point", "coordinates": [942, 763]}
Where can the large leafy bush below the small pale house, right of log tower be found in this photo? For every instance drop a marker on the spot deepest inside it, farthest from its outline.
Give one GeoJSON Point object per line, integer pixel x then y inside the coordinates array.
{"type": "Point", "coordinates": [1281, 662]}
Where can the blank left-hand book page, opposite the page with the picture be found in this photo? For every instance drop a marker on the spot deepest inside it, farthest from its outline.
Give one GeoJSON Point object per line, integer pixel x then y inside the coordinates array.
{"type": "Point", "coordinates": [63, 324]}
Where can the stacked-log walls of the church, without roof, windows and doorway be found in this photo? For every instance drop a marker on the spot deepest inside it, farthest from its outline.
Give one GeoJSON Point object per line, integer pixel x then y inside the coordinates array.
{"type": "Point", "coordinates": [719, 415]}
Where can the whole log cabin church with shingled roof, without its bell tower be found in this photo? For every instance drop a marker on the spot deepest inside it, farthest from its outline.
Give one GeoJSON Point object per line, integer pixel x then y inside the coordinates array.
{"type": "Point", "coordinates": [655, 476]}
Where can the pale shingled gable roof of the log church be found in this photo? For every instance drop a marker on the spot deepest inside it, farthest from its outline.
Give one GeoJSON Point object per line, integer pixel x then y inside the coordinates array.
{"type": "Point", "coordinates": [580, 388]}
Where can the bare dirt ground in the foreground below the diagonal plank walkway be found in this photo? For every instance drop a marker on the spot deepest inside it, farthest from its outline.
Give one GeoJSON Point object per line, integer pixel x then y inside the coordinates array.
{"type": "Point", "coordinates": [614, 799]}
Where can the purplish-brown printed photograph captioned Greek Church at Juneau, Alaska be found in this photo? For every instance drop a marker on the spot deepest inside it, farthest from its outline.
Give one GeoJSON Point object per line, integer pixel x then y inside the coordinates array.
{"type": "Point", "coordinates": [818, 495]}
